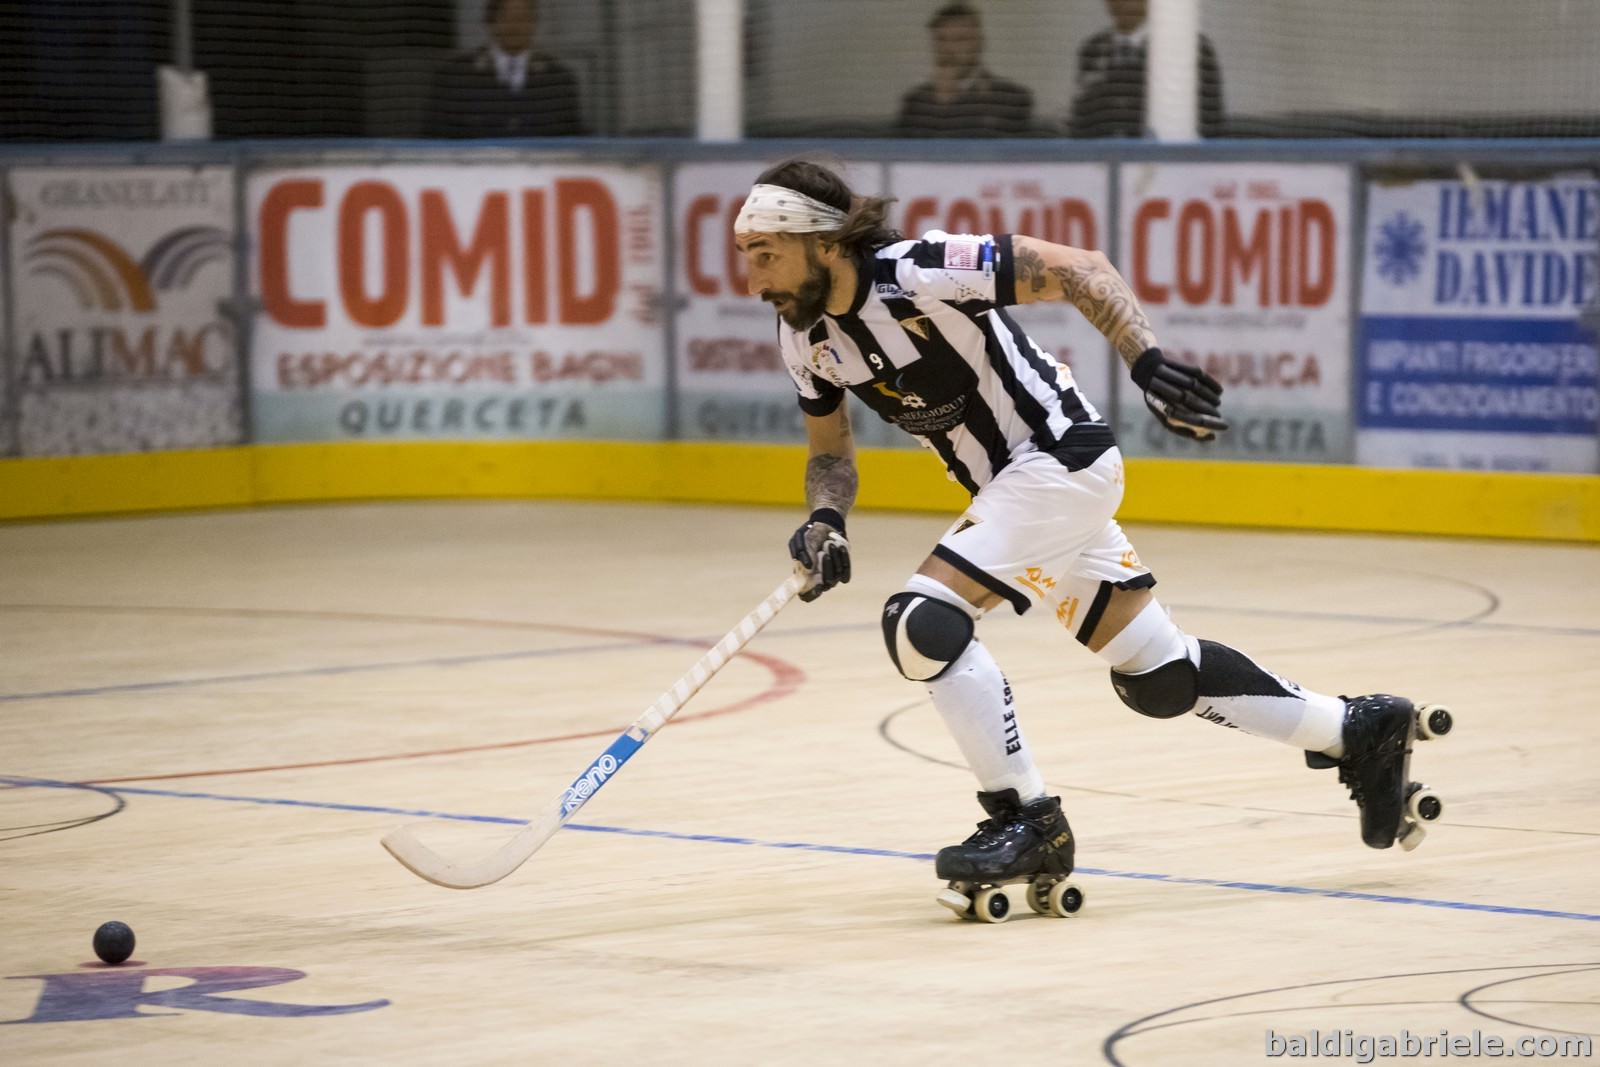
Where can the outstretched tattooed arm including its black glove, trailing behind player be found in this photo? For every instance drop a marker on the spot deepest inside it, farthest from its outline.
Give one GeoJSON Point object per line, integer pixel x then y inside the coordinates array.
{"type": "Point", "coordinates": [1183, 398]}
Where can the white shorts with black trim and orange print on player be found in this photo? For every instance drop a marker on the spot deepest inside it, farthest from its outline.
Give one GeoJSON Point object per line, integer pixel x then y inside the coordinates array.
{"type": "Point", "coordinates": [1041, 533]}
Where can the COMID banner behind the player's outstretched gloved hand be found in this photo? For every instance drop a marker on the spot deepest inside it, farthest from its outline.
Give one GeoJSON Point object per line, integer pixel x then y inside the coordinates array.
{"type": "Point", "coordinates": [1244, 270]}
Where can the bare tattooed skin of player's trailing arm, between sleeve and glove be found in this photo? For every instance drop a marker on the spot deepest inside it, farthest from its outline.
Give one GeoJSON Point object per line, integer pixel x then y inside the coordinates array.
{"type": "Point", "coordinates": [1089, 282]}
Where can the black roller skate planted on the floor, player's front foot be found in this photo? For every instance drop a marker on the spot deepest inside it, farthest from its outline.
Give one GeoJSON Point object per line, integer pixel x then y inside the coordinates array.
{"type": "Point", "coordinates": [1014, 845]}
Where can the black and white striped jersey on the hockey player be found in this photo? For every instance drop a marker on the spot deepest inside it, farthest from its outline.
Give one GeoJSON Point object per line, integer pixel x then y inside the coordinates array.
{"type": "Point", "coordinates": [929, 346]}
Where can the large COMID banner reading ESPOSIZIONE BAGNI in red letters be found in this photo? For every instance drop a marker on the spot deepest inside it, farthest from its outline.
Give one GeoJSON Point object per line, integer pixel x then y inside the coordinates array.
{"type": "Point", "coordinates": [470, 302]}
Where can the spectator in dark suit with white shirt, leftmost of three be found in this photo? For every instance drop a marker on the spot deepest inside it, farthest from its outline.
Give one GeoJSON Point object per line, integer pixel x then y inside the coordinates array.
{"type": "Point", "coordinates": [508, 89]}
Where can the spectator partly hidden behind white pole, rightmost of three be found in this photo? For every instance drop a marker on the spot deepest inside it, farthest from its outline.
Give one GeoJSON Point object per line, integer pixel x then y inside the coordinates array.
{"type": "Point", "coordinates": [1110, 102]}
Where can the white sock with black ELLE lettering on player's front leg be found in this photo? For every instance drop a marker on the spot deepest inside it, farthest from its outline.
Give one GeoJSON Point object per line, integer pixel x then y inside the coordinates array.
{"type": "Point", "coordinates": [975, 701]}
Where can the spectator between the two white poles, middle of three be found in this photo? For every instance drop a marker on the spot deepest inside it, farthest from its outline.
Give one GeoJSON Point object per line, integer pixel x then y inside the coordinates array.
{"type": "Point", "coordinates": [964, 100]}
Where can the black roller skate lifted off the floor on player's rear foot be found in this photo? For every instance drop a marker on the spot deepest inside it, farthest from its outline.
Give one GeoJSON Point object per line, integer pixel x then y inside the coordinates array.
{"type": "Point", "coordinates": [1377, 767]}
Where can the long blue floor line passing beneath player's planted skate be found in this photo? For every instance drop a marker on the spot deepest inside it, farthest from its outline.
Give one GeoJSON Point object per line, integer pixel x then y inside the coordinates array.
{"type": "Point", "coordinates": [838, 850]}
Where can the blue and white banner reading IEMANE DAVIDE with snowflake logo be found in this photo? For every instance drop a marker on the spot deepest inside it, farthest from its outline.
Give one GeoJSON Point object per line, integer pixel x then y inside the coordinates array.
{"type": "Point", "coordinates": [1473, 350]}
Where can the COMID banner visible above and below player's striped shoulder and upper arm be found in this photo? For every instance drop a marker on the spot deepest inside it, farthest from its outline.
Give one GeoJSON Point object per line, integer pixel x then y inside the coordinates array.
{"type": "Point", "coordinates": [1068, 204]}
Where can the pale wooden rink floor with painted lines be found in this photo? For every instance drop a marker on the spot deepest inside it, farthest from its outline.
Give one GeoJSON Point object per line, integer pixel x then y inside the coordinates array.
{"type": "Point", "coordinates": [209, 721]}
